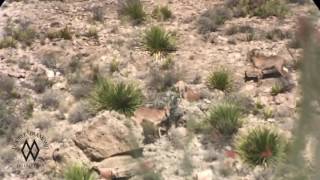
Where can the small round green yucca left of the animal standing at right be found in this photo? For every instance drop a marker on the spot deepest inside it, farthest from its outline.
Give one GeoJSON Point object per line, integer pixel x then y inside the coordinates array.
{"type": "Point", "coordinates": [220, 79]}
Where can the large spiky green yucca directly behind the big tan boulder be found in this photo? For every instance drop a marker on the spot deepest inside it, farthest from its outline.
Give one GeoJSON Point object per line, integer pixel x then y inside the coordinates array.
{"type": "Point", "coordinates": [121, 97]}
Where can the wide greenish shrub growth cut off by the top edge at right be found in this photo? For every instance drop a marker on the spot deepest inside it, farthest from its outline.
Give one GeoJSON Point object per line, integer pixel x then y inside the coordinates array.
{"type": "Point", "coordinates": [261, 8]}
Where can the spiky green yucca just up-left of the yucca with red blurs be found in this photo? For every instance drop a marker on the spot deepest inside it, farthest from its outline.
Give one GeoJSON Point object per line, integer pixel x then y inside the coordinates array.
{"type": "Point", "coordinates": [225, 118]}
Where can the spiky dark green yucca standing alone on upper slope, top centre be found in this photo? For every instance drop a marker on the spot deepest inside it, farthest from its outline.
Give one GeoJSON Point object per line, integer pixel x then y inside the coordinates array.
{"type": "Point", "coordinates": [156, 40]}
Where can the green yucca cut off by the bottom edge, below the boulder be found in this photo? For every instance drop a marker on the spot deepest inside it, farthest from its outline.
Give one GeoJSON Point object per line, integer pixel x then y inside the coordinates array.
{"type": "Point", "coordinates": [79, 172]}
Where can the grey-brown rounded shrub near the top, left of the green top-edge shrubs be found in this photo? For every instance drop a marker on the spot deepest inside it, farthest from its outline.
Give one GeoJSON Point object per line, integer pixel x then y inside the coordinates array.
{"type": "Point", "coordinates": [211, 19]}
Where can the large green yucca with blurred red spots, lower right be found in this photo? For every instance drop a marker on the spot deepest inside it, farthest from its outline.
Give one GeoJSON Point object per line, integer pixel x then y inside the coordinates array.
{"type": "Point", "coordinates": [261, 146]}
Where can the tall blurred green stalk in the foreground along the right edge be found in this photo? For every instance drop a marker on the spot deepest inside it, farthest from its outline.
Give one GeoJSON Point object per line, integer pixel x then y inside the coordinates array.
{"type": "Point", "coordinates": [308, 124]}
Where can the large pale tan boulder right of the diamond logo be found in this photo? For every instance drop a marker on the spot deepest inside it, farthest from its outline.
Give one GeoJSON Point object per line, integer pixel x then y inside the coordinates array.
{"type": "Point", "coordinates": [107, 136]}
